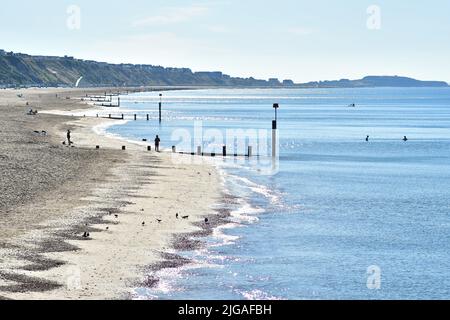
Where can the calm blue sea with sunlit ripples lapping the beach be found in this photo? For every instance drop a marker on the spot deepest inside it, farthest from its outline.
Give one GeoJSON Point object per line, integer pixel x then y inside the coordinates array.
{"type": "Point", "coordinates": [336, 206]}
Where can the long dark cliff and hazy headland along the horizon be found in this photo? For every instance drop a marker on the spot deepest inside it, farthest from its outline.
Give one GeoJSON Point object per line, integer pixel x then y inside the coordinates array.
{"type": "Point", "coordinates": [22, 70]}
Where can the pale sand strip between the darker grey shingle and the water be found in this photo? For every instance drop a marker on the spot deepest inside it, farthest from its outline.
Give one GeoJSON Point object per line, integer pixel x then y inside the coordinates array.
{"type": "Point", "coordinates": [142, 187]}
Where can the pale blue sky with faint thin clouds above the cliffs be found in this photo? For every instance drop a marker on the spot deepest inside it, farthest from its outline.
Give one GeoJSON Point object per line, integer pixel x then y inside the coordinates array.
{"type": "Point", "coordinates": [286, 39]}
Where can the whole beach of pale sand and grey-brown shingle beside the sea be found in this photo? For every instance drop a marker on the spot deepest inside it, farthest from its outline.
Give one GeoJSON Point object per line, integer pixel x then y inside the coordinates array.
{"type": "Point", "coordinates": [128, 201]}
